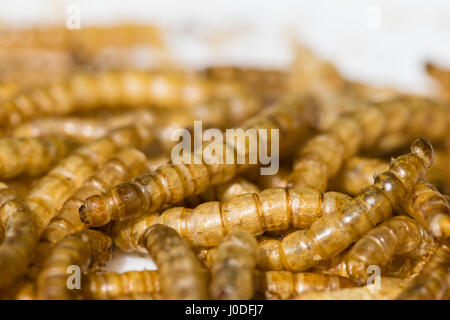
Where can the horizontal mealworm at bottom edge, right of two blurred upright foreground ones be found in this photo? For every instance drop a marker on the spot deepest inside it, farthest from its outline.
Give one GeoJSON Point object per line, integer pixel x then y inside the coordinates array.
{"type": "Point", "coordinates": [284, 285]}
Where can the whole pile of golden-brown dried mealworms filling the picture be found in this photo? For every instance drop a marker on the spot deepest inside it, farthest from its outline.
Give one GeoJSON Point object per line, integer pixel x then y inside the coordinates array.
{"type": "Point", "coordinates": [357, 210]}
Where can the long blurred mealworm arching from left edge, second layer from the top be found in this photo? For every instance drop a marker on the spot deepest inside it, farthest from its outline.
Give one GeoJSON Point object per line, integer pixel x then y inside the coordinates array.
{"type": "Point", "coordinates": [132, 89]}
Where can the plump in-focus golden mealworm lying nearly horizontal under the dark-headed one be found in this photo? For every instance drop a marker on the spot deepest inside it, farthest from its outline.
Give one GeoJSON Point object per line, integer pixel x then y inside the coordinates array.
{"type": "Point", "coordinates": [209, 223]}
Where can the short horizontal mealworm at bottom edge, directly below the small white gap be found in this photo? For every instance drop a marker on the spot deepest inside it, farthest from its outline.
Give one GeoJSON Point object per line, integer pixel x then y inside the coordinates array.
{"type": "Point", "coordinates": [111, 285]}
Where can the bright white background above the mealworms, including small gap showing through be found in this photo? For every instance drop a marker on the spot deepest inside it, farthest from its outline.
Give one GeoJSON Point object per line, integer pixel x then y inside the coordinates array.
{"type": "Point", "coordinates": [381, 42]}
